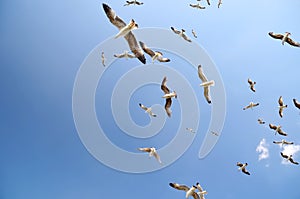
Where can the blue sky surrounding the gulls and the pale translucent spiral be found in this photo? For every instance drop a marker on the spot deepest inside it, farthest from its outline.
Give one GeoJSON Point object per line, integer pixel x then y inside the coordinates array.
{"type": "Point", "coordinates": [43, 45]}
